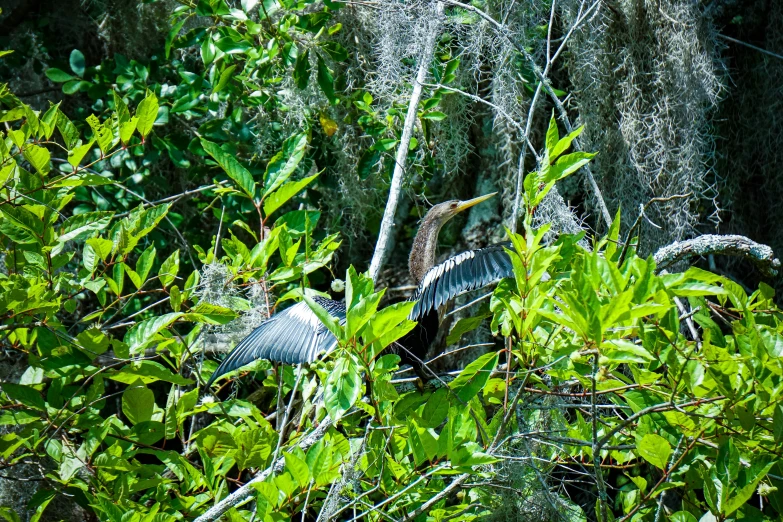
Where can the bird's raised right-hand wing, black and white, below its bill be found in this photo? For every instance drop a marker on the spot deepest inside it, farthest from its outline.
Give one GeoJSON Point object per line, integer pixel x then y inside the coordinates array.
{"type": "Point", "coordinates": [459, 274]}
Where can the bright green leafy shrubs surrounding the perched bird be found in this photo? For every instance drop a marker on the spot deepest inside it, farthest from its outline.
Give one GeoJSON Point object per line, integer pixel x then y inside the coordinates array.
{"type": "Point", "coordinates": [112, 315]}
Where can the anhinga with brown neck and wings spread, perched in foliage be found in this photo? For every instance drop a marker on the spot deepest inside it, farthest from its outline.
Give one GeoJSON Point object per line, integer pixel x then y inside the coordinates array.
{"type": "Point", "coordinates": [296, 335]}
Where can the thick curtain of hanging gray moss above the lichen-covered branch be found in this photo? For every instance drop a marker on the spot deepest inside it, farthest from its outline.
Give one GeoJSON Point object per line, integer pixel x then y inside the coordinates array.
{"type": "Point", "coordinates": [646, 81]}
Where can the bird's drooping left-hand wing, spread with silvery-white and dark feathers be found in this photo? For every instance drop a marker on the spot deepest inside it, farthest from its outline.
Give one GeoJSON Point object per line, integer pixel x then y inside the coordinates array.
{"type": "Point", "coordinates": [293, 336]}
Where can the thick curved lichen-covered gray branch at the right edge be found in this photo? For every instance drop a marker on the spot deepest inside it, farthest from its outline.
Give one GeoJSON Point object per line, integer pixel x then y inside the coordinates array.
{"type": "Point", "coordinates": [731, 245]}
